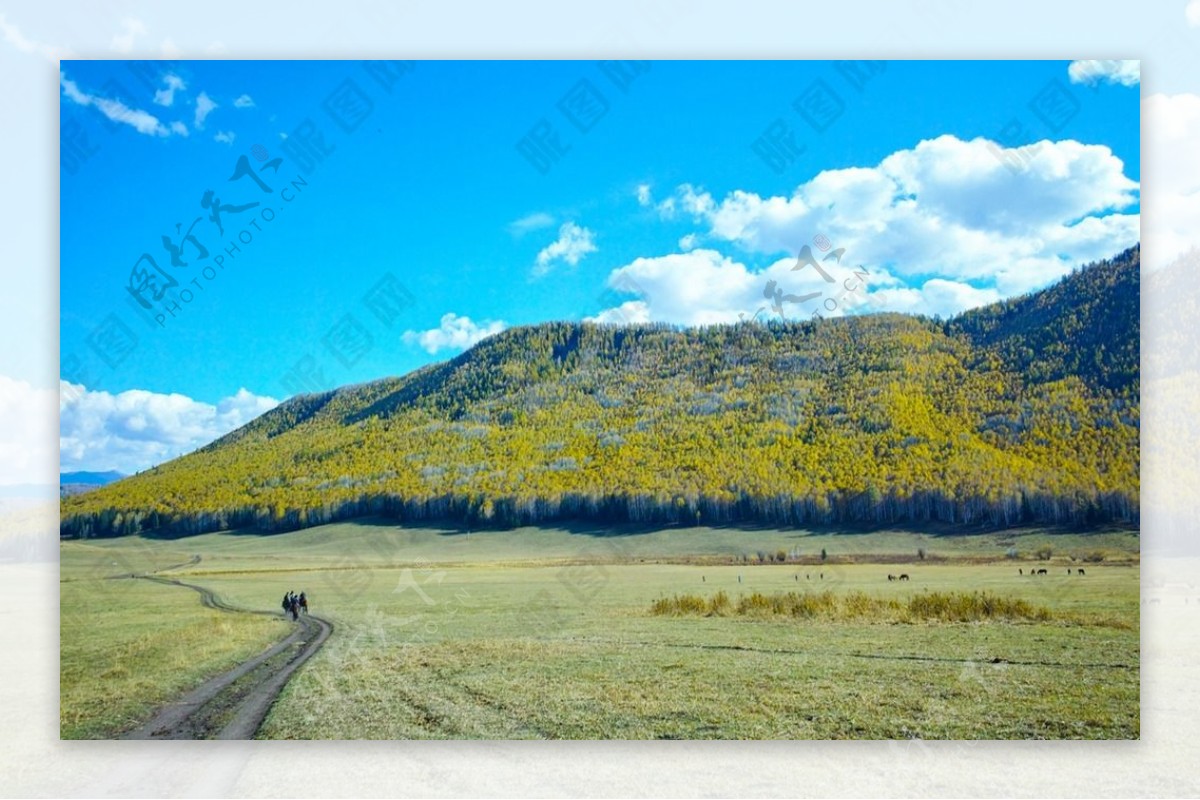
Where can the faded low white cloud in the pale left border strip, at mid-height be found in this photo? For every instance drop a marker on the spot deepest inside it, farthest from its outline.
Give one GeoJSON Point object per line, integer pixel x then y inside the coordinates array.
{"type": "Point", "coordinates": [27, 434]}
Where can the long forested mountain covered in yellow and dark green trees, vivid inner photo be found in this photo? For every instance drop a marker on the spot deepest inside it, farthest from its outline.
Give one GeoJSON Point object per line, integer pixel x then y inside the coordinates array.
{"type": "Point", "coordinates": [1024, 412]}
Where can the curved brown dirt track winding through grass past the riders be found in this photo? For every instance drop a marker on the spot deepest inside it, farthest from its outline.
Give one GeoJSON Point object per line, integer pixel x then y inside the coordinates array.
{"type": "Point", "coordinates": [233, 706]}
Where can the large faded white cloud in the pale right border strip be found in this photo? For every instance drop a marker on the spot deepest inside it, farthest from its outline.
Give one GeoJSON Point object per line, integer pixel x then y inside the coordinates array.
{"type": "Point", "coordinates": [1172, 160]}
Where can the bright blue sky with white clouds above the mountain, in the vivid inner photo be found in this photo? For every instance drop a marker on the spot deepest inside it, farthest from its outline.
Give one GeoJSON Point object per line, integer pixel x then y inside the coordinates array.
{"type": "Point", "coordinates": [417, 207]}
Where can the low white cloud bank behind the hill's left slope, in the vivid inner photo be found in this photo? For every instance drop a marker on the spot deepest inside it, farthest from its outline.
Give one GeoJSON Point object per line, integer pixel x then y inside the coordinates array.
{"type": "Point", "coordinates": [135, 430]}
